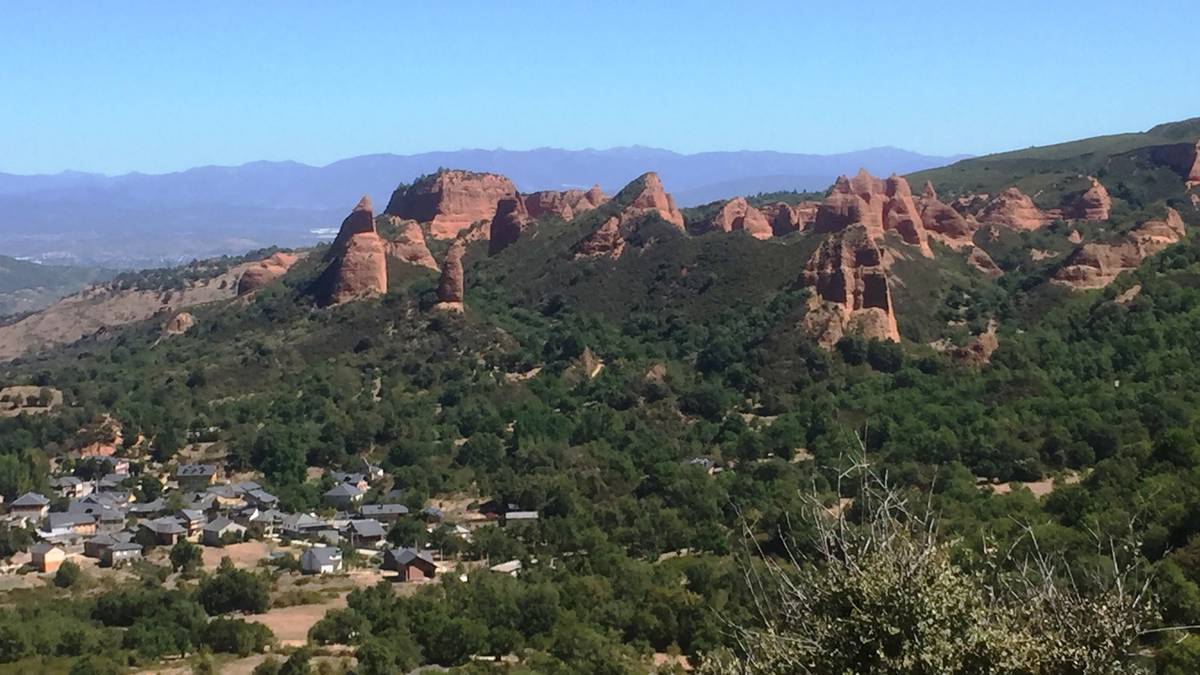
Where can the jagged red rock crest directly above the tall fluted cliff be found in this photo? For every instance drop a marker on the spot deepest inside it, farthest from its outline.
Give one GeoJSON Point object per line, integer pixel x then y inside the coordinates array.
{"type": "Point", "coordinates": [878, 205]}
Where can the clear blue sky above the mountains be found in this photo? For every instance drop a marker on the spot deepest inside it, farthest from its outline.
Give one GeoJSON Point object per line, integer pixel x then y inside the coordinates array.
{"type": "Point", "coordinates": [155, 87]}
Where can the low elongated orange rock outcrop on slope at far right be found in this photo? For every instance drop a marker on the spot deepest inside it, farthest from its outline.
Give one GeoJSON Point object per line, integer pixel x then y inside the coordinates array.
{"type": "Point", "coordinates": [1095, 266]}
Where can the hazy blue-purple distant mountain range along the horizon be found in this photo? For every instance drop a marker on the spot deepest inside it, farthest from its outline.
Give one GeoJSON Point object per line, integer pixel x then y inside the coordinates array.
{"type": "Point", "coordinates": [139, 220]}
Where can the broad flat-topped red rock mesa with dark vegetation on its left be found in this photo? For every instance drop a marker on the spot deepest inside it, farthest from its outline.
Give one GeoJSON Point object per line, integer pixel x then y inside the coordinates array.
{"type": "Point", "coordinates": [452, 201]}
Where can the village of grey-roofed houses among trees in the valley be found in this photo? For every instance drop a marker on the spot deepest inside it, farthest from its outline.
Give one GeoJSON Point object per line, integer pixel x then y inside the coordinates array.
{"type": "Point", "coordinates": [95, 521]}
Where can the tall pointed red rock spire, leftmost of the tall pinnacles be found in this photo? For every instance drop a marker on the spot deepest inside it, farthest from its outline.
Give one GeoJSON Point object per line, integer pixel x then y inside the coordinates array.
{"type": "Point", "coordinates": [358, 260]}
